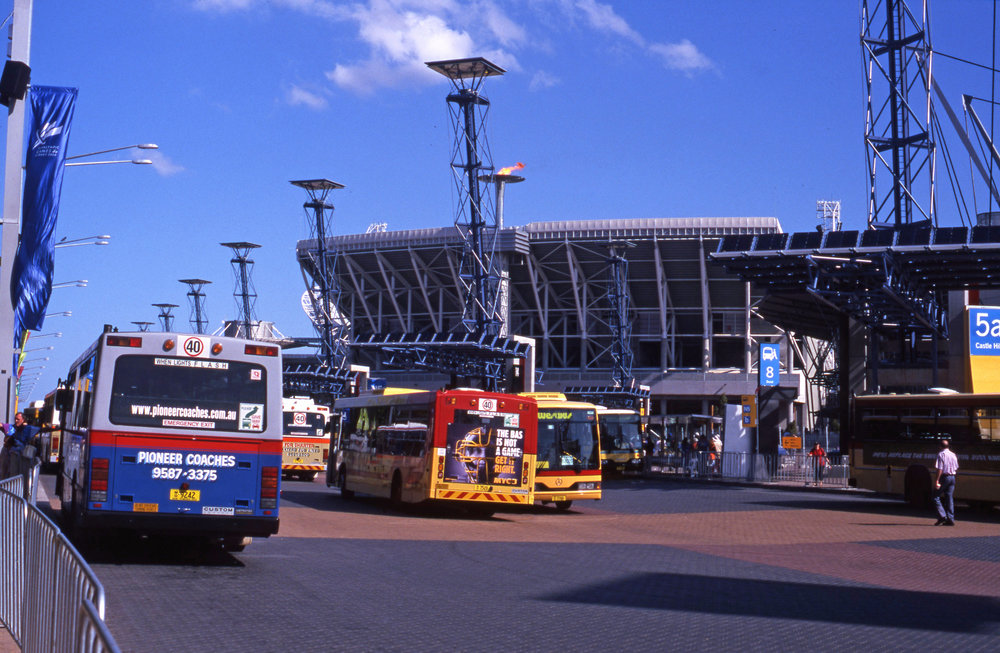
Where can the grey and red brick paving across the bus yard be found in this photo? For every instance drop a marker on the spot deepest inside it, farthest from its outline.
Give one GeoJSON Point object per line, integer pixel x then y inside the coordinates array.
{"type": "Point", "coordinates": [656, 565]}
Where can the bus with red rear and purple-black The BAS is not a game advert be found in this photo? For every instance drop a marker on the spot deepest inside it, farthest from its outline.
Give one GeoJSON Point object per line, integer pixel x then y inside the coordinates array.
{"type": "Point", "coordinates": [469, 447]}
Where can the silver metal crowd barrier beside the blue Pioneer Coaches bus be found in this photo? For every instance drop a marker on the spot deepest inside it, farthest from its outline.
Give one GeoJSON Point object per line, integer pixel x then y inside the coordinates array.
{"type": "Point", "coordinates": [51, 600]}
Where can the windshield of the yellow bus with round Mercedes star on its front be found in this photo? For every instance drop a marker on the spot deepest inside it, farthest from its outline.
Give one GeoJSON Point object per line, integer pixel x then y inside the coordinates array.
{"type": "Point", "coordinates": [566, 439]}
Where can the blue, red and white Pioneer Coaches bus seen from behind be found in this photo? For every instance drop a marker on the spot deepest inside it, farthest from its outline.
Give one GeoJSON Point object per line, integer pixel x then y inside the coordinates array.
{"type": "Point", "coordinates": [173, 433]}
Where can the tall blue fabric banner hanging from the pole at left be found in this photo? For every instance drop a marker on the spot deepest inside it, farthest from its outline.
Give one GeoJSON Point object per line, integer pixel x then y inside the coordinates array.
{"type": "Point", "coordinates": [48, 136]}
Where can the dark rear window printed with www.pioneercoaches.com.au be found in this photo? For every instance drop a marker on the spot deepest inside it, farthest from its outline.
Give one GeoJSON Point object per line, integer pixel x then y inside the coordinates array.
{"type": "Point", "coordinates": [165, 392]}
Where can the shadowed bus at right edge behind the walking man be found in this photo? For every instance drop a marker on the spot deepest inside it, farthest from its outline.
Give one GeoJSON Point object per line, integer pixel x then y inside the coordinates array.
{"type": "Point", "coordinates": [894, 444]}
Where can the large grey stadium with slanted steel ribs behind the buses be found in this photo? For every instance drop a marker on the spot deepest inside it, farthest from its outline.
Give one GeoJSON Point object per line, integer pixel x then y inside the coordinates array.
{"type": "Point", "coordinates": [694, 331]}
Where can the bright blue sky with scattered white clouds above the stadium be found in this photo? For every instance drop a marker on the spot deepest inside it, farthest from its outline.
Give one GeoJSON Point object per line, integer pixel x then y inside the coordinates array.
{"type": "Point", "coordinates": [617, 110]}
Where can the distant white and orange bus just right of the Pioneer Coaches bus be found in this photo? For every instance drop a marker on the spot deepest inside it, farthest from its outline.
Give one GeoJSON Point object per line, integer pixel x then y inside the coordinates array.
{"type": "Point", "coordinates": [305, 444]}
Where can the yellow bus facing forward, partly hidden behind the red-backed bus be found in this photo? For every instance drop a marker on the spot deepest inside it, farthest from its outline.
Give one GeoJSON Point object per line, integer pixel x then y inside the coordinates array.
{"type": "Point", "coordinates": [568, 467]}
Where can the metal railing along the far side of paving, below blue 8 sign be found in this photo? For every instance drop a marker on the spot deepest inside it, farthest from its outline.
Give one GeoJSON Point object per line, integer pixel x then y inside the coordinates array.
{"type": "Point", "coordinates": [794, 468]}
